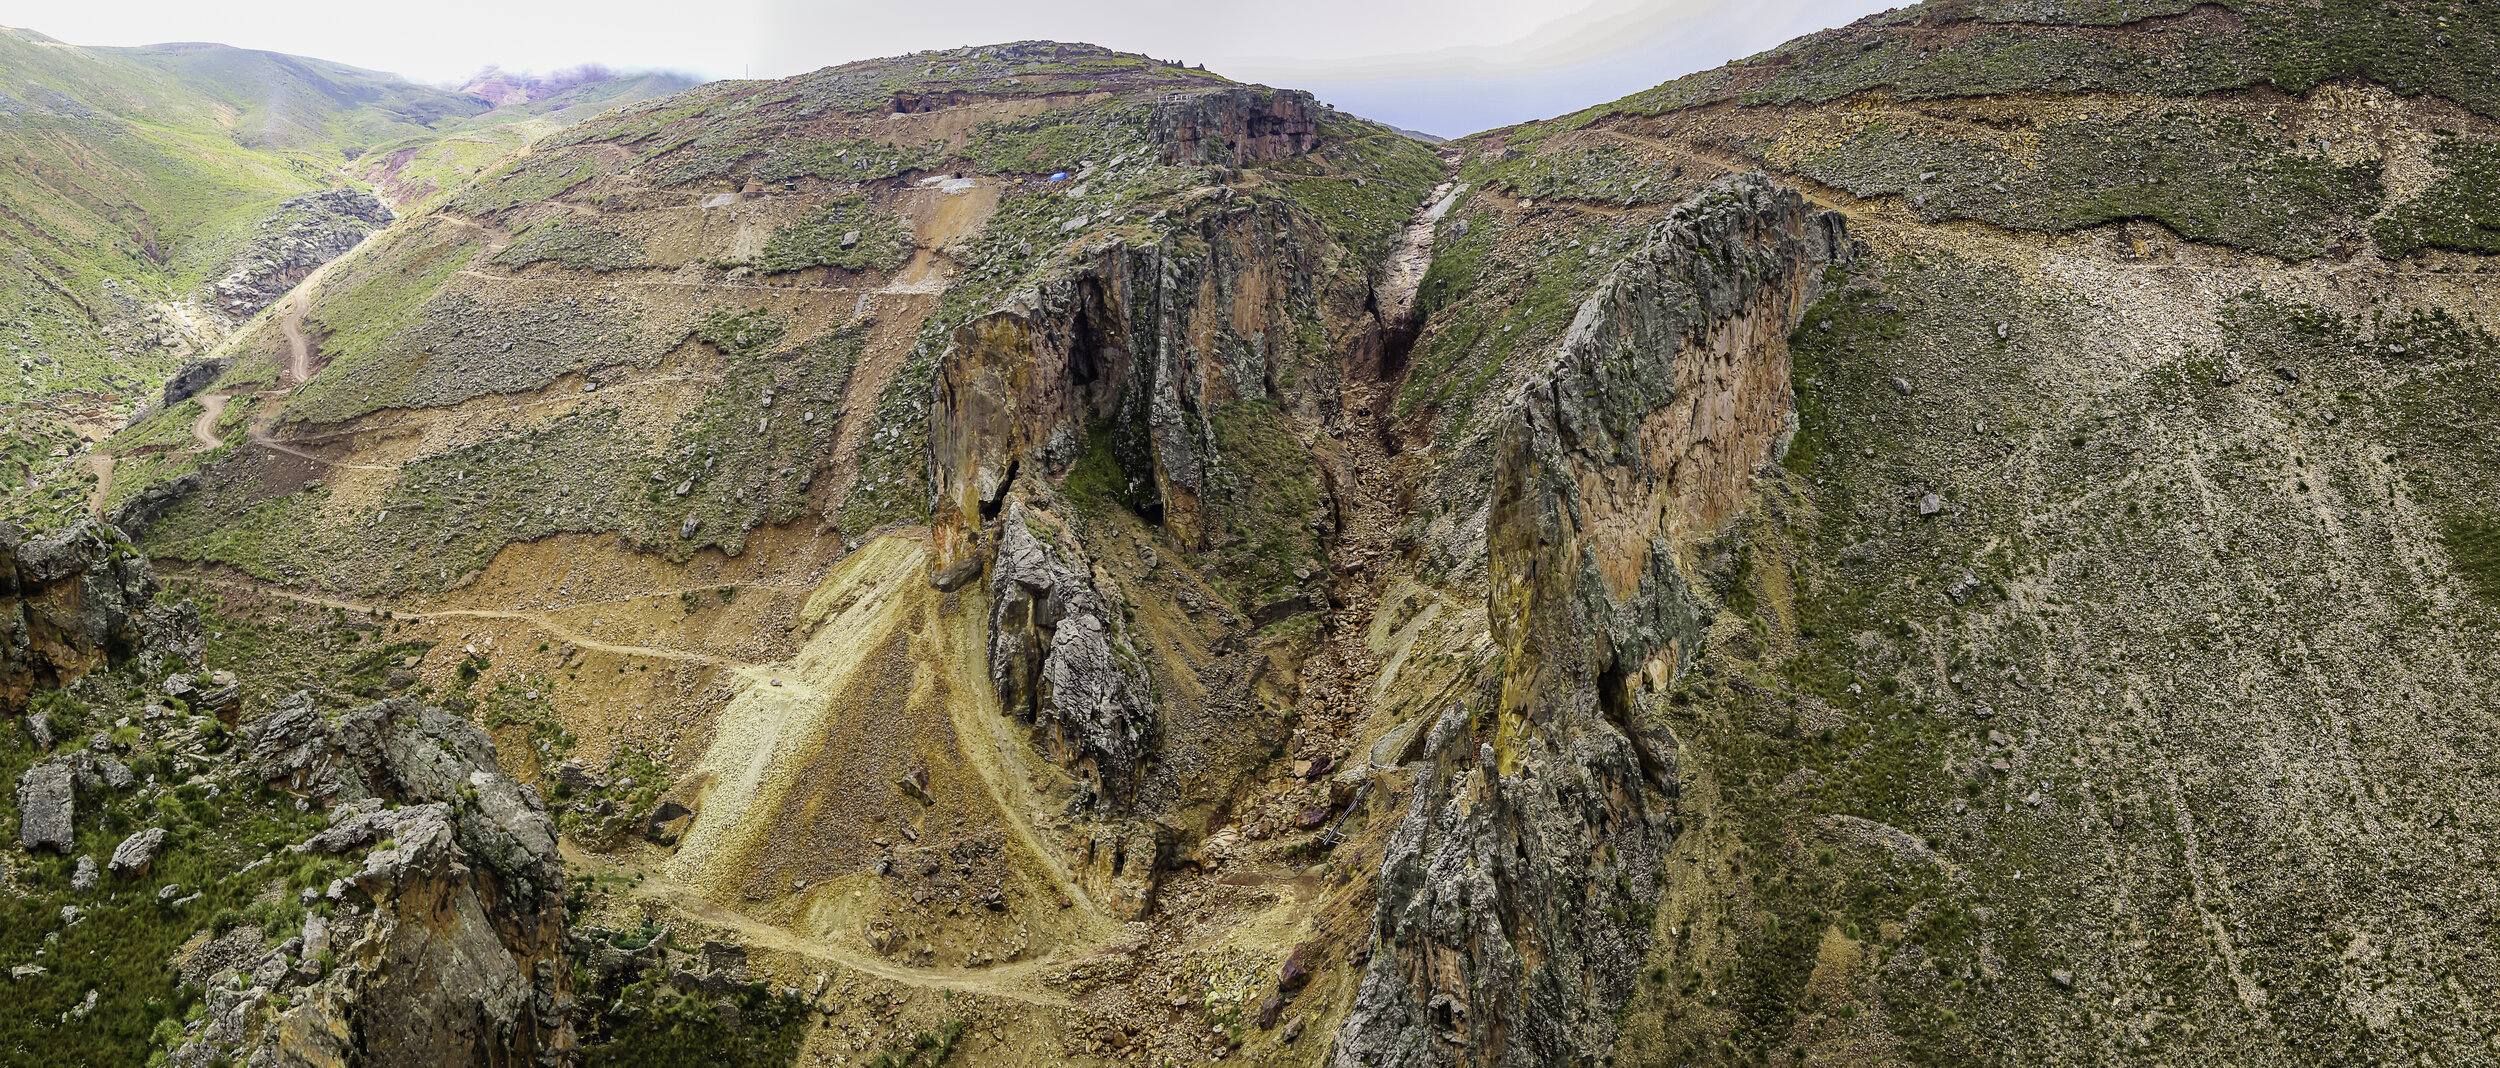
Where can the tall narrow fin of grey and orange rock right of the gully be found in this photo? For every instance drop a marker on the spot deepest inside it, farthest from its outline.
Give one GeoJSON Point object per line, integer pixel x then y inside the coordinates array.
{"type": "Point", "coordinates": [1516, 894]}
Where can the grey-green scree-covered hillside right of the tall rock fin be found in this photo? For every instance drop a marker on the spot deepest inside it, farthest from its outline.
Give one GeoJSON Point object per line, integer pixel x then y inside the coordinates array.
{"type": "Point", "coordinates": [2131, 421]}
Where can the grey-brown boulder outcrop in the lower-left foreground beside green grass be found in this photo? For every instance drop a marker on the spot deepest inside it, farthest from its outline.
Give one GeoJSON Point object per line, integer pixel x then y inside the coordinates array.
{"type": "Point", "coordinates": [456, 937]}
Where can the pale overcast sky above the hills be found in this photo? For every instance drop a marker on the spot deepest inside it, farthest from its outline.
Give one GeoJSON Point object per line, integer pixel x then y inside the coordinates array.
{"type": "Point", "coordinates": [1439, 66]}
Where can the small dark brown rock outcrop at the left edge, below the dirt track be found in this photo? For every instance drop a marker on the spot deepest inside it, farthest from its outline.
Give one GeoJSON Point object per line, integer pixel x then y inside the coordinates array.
{"type": "Point", "coordinates": [79, 599]}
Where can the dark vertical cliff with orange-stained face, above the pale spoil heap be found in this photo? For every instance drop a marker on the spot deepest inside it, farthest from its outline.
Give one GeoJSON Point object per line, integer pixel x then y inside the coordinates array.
{"type": "Point", "coordinates": [1136, 349]}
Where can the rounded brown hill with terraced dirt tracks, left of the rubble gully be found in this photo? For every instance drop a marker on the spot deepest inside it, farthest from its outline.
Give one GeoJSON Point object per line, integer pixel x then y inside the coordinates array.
{"type": "Point", "coordinates": [649, 416]}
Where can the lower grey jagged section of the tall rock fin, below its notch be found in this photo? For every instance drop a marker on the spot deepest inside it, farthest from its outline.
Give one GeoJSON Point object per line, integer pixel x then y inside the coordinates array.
{"type": "Point", "coordinates": [1509, 907]}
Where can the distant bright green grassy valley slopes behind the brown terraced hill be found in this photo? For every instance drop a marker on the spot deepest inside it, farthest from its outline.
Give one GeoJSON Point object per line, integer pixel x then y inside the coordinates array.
{"type": "Point", "coordinates": [149, 166]}
